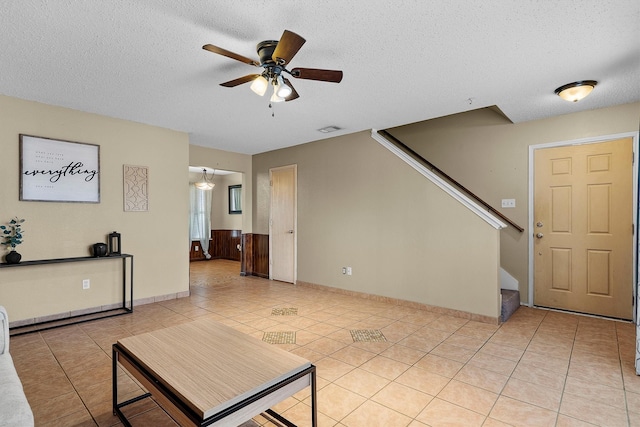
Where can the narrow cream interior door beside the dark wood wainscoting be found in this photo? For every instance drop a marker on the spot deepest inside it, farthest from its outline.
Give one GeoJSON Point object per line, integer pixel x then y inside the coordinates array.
{"type": "Point", "coordinates": [282, 224]}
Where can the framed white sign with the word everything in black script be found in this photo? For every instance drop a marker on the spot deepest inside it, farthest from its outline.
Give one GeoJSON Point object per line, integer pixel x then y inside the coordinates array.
{"type": "Point", "coordinates": [53, 170]}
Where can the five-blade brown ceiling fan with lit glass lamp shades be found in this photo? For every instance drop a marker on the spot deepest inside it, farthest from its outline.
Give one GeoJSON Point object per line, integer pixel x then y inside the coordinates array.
{"type": "Point", "coordinates": [274, 57]}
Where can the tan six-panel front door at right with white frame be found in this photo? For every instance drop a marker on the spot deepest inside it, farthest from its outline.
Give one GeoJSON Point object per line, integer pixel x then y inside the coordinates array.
{"type": "Point", "coordinates": [583, 223]}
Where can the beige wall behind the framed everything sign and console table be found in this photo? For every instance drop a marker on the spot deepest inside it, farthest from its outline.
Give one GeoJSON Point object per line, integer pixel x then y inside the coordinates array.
{"type": "Point", "coordinates": [158, 238]}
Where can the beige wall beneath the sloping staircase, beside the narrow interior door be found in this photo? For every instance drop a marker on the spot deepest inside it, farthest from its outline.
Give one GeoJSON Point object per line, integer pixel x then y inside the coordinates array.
{"type": "Point", "coordinates": [360, 206]}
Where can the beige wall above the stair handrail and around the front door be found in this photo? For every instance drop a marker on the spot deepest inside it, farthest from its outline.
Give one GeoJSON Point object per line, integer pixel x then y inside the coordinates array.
{"type": "Point", "coordinates": [489, 155]}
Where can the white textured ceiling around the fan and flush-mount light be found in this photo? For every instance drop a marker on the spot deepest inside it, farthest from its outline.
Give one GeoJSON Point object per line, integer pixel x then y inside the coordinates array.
{"type": "Point", "coordinates": [403, 61]}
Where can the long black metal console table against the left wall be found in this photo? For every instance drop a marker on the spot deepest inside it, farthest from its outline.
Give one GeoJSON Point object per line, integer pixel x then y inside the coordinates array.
{"type": "Point", "coordinates": [127, 305]}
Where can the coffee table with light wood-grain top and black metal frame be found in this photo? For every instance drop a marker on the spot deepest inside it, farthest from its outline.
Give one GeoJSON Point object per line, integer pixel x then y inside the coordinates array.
{"type": "Point", "coordinates": [205, 373]}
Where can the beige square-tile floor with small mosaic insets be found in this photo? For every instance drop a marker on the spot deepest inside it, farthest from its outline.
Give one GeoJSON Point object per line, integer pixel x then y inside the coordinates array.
{"type": "Point", "coordinates": [541, 368]}
